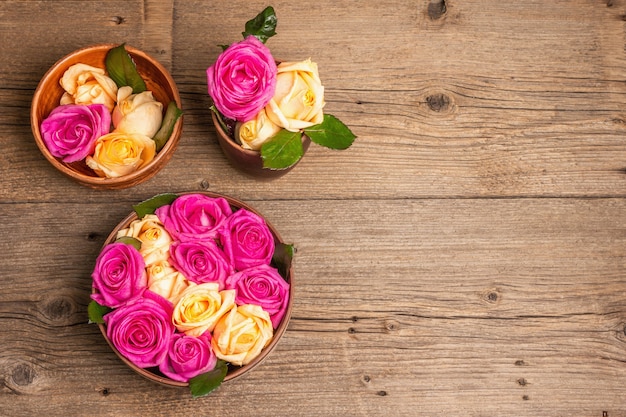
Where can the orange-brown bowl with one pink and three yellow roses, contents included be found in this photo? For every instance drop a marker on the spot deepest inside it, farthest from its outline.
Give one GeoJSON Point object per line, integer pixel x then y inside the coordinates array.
{"type": "Point", "coordinates": [107, 116]}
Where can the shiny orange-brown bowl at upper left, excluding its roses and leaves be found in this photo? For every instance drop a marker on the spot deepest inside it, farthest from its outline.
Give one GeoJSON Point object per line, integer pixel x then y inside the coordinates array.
{"type": "Point", "coordinates": [49, 92]}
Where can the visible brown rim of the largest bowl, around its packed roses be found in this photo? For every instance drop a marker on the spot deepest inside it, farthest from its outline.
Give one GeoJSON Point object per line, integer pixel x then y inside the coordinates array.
{"type": "Point", "coordinates": [233, 371]}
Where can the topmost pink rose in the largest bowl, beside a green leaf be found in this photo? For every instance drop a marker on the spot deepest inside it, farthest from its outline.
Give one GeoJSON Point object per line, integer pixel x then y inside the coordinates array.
{"type": "Point", "coordinates": [194, 217]}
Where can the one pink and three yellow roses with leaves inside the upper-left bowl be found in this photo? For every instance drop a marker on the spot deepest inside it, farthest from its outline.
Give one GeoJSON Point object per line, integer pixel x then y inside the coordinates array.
{"type": "Point", "coordinates": [107, 118]}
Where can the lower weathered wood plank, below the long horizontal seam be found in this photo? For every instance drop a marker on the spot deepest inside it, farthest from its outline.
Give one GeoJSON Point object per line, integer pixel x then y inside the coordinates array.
{"type": "Point", "coordinates": [506, 307]}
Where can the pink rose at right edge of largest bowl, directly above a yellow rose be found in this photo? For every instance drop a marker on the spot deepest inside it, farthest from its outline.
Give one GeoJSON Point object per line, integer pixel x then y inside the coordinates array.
{"type": "Point", "coordinates": [262, 286]}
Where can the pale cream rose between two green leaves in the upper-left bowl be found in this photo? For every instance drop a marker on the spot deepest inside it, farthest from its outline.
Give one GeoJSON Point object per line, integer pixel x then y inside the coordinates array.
{"type": "Point", "coordinates": [137, 113]}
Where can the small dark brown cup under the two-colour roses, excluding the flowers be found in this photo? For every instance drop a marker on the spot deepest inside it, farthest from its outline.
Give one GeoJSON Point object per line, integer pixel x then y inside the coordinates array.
{"type": "Point", "coordinates": [249, 161]}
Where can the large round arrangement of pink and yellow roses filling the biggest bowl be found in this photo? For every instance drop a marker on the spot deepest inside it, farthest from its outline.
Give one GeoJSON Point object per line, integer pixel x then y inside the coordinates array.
{"type": "Point", "coordinates": [191, 287]}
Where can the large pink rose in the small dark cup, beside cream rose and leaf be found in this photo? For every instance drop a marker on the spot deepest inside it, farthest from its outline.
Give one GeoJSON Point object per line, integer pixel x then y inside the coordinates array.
{"type": "Point", "coordinates": [243, 79]}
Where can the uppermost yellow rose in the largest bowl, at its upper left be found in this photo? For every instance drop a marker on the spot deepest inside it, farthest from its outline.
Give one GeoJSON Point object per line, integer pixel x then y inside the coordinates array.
{"type": "Point", "coordinates": [155, 240]}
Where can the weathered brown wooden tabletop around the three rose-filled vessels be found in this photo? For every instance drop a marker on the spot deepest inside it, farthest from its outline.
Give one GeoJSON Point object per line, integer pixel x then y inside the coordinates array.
{"type": "Point", "coordinates": [466, 256]}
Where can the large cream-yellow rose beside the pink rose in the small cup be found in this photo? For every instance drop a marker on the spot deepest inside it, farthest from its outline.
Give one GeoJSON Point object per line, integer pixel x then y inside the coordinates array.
{"type": "Point", "coordinates": [299, 96]}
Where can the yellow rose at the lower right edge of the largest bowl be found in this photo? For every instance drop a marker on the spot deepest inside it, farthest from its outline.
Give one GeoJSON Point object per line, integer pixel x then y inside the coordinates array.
{"type": "Point", "coordinates": [242, 333]}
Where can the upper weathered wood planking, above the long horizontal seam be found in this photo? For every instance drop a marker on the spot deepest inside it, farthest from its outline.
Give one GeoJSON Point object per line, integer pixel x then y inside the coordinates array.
{"type": "Point", "coordinates": [467, 105]}
